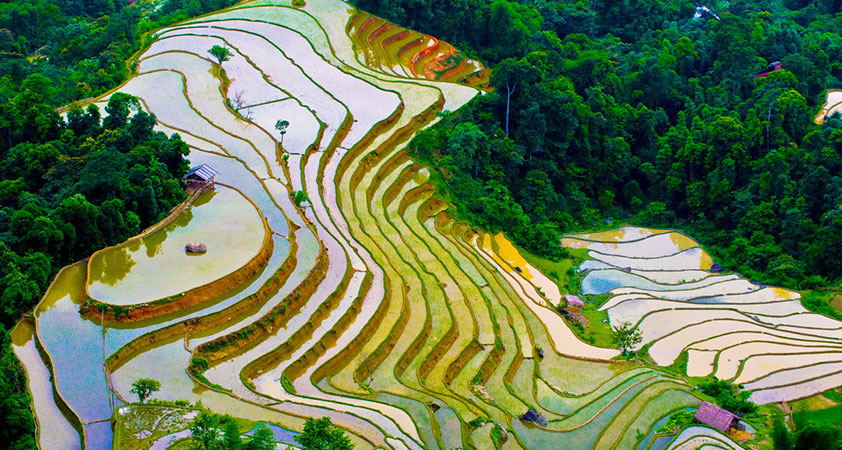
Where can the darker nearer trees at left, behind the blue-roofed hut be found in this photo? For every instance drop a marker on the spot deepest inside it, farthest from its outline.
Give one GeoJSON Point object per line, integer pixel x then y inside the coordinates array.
{"type": "Point", "coordinates": [67, 189]}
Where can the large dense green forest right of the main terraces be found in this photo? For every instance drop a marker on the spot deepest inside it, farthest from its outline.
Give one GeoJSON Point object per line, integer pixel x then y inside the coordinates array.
{"type": "Point", "coordinates": [636, 111]}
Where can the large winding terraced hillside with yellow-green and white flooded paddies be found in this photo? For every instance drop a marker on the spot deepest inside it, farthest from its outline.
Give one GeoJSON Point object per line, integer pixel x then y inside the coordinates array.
{"type": "Point", "coordinates": [367, 303]}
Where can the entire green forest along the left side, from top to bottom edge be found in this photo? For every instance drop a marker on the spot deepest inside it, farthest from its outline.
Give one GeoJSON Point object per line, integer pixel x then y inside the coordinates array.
{"type": "Point", "coordinates": [71, 186]}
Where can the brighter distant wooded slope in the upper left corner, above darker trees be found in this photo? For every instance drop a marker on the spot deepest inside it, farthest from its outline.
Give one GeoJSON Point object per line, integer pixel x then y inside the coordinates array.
{"type": "Point", "coordinates": [82, 45]}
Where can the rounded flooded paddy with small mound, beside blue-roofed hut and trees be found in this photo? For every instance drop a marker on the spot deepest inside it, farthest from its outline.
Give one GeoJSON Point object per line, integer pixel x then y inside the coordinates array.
{"type": "Point", "coordinates": [120, 275]}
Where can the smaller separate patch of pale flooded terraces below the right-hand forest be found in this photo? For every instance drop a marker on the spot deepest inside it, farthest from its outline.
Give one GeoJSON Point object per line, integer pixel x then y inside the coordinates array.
{"type": "Point", "coordinates": [758, 336]}
